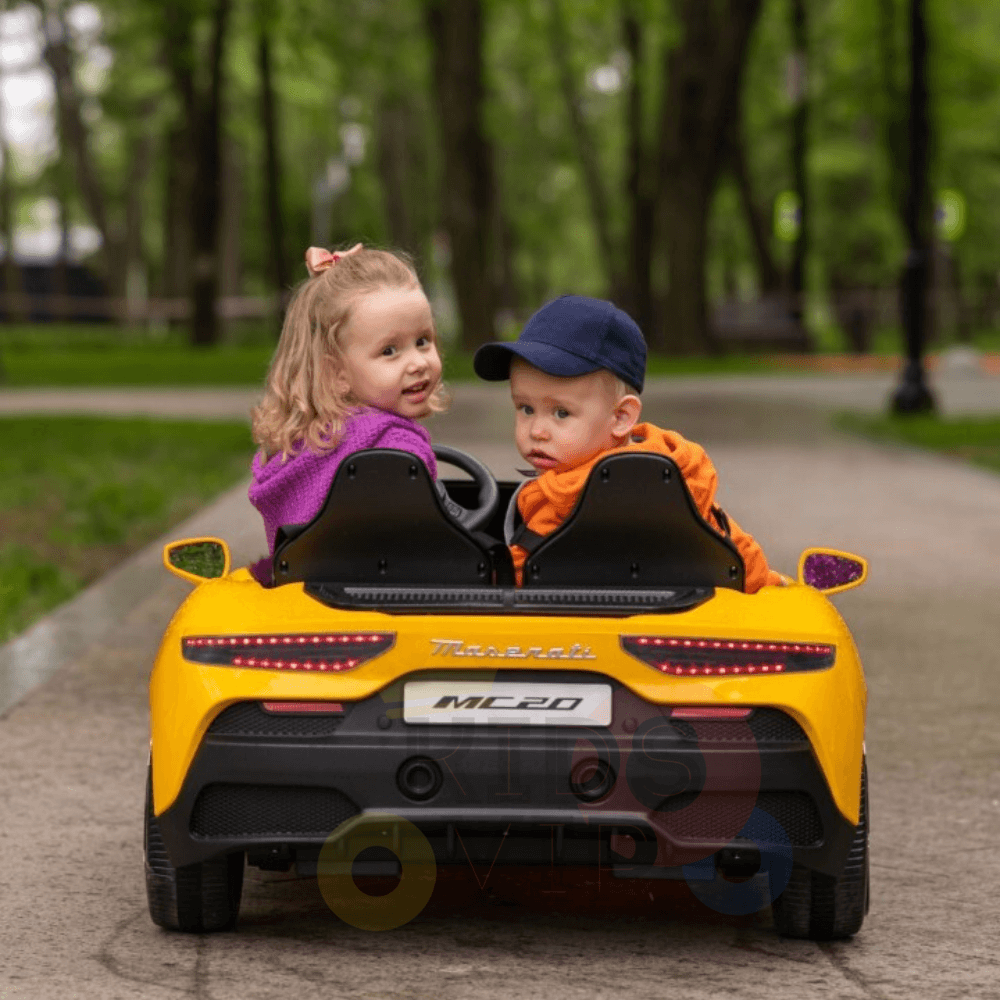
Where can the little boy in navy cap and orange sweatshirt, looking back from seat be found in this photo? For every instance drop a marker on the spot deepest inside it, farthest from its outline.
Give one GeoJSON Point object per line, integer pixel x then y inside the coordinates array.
{"type": "Point", "coordinates": [576, 373]}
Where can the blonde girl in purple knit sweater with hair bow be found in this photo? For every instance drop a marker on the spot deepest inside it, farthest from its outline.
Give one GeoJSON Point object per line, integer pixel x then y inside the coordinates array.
{"type": "Point", "coordinates": [356, 366]}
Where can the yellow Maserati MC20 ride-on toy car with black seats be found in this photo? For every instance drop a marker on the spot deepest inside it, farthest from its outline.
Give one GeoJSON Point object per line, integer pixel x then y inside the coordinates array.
{"type": "Point", "coordinates": [628, 707]}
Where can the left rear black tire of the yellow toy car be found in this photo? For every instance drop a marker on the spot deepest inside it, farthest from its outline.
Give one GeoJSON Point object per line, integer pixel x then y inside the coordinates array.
{"type": "Point", "coordinates": [194, 898]}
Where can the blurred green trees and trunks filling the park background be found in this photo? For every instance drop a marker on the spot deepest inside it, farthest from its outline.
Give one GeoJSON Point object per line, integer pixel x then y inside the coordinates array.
{"type": "Point", "coordinates": [633, 149]}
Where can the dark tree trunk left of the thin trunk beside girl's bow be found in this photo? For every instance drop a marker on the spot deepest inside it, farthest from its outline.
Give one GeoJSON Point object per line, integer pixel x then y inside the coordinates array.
{"type": "Point", "coordinates": [207, 200]}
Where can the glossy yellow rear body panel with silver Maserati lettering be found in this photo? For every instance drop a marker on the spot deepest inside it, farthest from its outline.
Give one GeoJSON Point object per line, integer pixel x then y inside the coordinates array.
{"type": "Point", "coordinates": [829, 704]}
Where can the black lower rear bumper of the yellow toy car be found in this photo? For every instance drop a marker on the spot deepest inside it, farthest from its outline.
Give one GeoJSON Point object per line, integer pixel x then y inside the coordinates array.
{"type": "Point", "coordinates": [673, 791]}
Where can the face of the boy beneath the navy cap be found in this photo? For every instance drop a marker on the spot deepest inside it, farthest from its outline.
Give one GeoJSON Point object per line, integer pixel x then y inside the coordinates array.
{"type": "Point", "coordinates": [563, 422]}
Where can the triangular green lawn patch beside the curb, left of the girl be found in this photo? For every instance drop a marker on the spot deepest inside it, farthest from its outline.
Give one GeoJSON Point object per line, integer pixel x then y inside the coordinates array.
{"type": "Point", "coordinates": [77, 495]}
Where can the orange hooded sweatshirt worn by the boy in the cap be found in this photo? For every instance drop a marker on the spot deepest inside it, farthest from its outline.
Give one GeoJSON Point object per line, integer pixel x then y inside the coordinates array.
{"type": "Point", "coordinates": [547, 501]}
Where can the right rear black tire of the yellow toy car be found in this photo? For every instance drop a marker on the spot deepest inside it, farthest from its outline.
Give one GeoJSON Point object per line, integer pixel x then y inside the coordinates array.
{"type": "Point", "coordinates": [828, 907]}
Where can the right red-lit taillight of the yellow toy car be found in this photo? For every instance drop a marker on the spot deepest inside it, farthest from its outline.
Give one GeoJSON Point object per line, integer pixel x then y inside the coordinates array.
{"type": "Point", "coordinates": [726, 657]}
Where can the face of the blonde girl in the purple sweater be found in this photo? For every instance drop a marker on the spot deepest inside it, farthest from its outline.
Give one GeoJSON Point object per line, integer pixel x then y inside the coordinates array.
{"type": "Point", "coordinates": [389, 352]}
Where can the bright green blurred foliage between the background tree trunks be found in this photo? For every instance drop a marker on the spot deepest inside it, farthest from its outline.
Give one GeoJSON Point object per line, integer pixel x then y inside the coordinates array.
{"type": "Point", "coordinates": [341, 69]}
